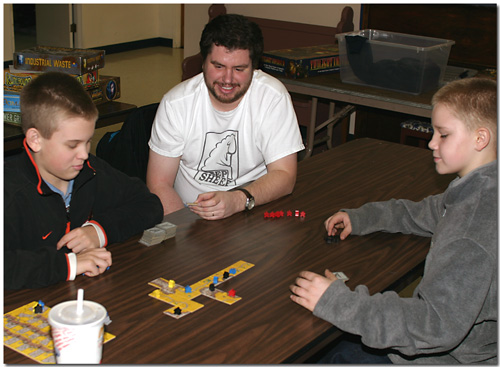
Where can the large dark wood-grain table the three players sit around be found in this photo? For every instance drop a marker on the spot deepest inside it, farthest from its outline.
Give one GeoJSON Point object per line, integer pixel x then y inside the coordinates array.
{"type": "Point", "coordinates": [265, 326]}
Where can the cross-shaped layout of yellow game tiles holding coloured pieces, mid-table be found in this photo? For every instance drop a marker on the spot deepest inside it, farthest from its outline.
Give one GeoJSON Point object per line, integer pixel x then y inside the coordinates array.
{"type": "Point", "coordinates": [179, 298]}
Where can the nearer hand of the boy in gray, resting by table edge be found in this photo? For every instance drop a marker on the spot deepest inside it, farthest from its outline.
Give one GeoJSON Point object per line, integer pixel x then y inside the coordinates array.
{"type": "Point", "coordinates": [309, 287]}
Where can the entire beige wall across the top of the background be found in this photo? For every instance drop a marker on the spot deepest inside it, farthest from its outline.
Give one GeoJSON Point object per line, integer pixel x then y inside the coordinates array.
{"type": "Point", "coordinates": [107, 24]}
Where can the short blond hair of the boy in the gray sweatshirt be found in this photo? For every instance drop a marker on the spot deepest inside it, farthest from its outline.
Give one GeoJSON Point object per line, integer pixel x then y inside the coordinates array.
{"type": "Point", "coordinates": [473, 101]}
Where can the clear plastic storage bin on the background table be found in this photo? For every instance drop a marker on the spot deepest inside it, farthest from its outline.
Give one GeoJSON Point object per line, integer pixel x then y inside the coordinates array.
{"type": "Point", "coordinates": [395, 61]}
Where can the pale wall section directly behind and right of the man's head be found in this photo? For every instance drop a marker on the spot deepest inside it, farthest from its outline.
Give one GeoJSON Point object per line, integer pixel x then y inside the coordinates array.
{"type": "Point", "coordinates": [196, 16]}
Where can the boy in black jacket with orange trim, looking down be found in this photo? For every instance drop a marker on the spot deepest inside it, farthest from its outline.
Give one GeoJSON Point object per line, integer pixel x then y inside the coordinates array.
{"type": "Point", "coordinates": [62, 205]}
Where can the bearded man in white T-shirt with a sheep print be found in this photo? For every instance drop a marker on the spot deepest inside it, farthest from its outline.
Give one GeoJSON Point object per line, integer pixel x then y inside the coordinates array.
{"type": "Point", "coordinates": [228, 127]}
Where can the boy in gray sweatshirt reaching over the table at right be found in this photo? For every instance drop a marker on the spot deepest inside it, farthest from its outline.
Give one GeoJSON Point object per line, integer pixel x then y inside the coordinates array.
{"type": "Point", "coordinates": [452, 316]}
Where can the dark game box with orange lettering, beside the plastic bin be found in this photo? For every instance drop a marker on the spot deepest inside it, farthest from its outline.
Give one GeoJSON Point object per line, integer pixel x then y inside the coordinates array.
{"type": "Point", "coordinates": [302, 62]}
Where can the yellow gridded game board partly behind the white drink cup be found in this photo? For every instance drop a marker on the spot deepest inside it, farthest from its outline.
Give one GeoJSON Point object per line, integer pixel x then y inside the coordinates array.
{"type": "Point", "coordinates": [28, 333]}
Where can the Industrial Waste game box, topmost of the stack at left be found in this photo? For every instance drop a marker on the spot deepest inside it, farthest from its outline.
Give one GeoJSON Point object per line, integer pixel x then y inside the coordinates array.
{"type": "Point", "coordinates": [67, 60]}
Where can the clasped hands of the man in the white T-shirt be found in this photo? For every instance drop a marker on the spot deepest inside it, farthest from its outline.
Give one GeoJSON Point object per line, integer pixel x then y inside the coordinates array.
{"type": "Point", "coordinates": [219, 204]}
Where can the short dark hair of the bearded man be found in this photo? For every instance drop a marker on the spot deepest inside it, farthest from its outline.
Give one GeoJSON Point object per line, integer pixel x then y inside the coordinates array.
{"type": "Point", "coordinates": [234, 32]}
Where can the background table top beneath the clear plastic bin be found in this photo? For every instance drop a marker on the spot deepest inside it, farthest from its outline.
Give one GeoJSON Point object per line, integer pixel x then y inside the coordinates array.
{"type": "Point", "coordinates": [330, 87]}
